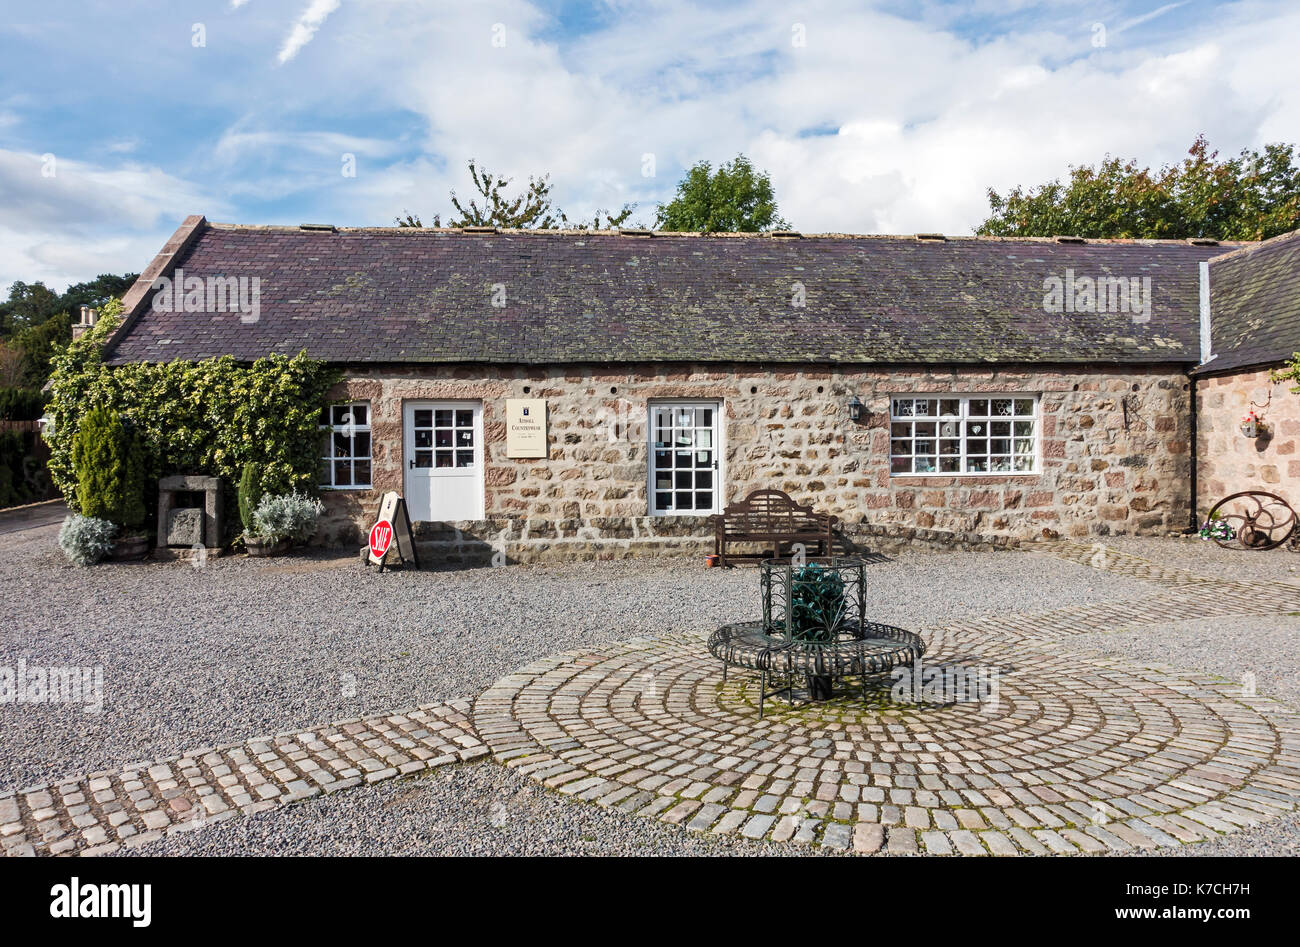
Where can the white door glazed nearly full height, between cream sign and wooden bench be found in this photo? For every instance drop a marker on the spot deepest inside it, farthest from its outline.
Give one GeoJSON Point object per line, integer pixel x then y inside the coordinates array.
{"type": "Point", "coordinates": [686, 459]}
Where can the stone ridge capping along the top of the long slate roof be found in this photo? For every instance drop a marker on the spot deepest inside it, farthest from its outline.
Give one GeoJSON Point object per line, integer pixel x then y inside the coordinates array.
{"type": "Point", "coordinates": [573, 232]}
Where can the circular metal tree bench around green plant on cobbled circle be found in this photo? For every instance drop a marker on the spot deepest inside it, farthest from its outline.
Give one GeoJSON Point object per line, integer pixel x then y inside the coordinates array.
{"type": "Point", "coordinates": [813, 630]}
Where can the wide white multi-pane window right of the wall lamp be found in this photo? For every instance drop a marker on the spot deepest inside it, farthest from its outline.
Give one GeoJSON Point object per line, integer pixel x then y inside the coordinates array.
{"type": "Point", "coordinates": [964, 435]}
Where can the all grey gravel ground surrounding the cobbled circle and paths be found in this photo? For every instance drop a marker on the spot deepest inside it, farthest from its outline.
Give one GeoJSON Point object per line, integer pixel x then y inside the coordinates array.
{"type": "Point", "coordinates": [241, 648]}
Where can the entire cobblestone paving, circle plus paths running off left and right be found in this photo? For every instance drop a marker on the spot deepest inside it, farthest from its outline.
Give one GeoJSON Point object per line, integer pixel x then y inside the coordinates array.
{"type": "Point", "coordinates": [1073, 756]}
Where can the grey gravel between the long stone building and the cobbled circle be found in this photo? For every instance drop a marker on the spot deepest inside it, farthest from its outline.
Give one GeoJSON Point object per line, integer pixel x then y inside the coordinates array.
{"type": "Point", "coordinates": [246, 647]}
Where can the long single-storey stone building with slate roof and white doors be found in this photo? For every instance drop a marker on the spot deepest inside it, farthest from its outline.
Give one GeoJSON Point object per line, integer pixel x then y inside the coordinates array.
{"type": "Point", "coordinates": [970, 390]}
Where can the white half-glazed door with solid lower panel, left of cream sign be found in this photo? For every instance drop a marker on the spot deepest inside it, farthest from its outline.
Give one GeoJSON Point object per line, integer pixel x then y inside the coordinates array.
{"type": "Point", "coordinates": [444, 460]}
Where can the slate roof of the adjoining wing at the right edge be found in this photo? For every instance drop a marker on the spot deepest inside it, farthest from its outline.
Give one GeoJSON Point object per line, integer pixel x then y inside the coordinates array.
{"type": "Point", "coordinates": [1255, 305]}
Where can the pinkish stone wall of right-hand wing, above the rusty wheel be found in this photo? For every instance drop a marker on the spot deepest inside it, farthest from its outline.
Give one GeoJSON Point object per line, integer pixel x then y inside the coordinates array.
{"type": "Point", "coordinates": [1228, 461]}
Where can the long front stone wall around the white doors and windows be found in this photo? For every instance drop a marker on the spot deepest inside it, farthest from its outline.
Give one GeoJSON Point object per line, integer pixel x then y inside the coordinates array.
{"type": "Point", "coordinates": [1115, 455]}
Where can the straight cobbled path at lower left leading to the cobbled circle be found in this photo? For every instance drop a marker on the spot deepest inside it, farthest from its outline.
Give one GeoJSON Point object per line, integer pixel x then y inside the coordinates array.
{"type": "Point", "coordinates": [98, 814]}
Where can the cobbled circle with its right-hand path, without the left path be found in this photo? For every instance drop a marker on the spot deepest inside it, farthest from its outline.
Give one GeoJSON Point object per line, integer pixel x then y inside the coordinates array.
{"type": "Point", "coordinates": [1073, 758]}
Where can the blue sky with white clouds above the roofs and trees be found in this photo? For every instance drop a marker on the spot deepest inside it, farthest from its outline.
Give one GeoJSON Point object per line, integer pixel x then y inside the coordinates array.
{"type": "Point", "coordinates": [872, 118]}
